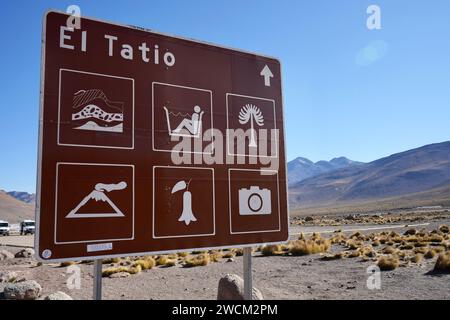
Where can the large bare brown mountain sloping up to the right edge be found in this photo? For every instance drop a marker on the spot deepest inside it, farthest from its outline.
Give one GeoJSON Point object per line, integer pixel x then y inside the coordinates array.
{"type": "Point", "coordinates": [411, 172]}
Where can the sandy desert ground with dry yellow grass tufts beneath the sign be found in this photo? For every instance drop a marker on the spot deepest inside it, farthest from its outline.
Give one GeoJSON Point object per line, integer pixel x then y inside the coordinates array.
{"type": "Point", "coordinates": [330, 261]}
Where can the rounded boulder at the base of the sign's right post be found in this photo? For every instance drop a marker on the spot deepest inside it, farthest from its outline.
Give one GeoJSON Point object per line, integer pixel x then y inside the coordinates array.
{"type": "Point", "coordinates": [231, 287]}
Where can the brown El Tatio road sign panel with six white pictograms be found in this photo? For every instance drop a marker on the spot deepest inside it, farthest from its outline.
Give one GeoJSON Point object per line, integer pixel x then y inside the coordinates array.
{"type": "Point", "coordinates": [150, 143]}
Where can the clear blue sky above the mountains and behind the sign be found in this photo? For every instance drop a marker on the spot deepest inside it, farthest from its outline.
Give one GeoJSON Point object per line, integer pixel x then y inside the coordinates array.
{"type": "Point", "coordinates": [348, 91]}
